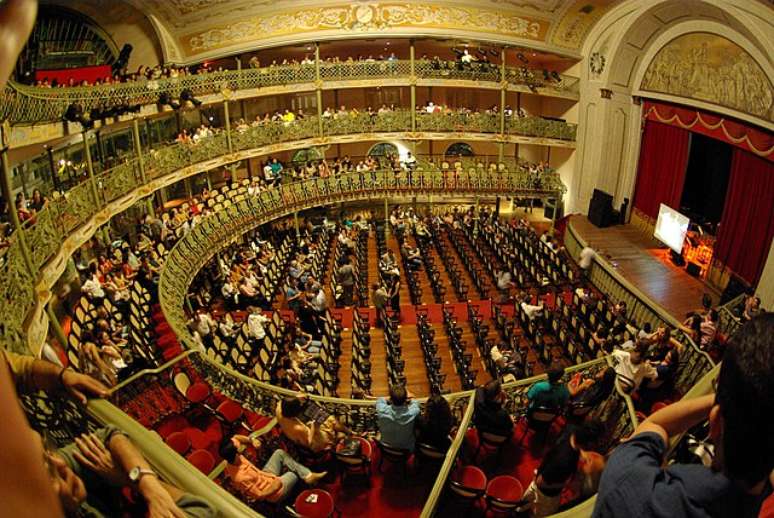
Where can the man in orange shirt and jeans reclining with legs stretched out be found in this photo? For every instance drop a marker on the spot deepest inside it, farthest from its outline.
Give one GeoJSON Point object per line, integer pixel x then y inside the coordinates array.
{"type": "Point", "coordinates": [269, 483]}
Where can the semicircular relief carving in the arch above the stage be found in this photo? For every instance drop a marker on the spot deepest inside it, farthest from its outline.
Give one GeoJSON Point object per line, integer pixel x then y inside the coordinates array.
{"type": "Point", "coordinates": [713, 69]}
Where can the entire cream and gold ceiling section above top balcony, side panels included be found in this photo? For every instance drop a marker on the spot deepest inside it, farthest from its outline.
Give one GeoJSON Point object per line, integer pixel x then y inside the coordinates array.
{"type": "Point", "coordinates": [192, 30]}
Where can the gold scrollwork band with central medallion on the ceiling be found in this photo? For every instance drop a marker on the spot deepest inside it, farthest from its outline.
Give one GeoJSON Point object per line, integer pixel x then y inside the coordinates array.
{"type": "Point", "coordinates": [366, 18]}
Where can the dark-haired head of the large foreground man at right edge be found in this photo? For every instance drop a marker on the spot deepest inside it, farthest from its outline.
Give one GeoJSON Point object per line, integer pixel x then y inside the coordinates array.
{"type": "Point", "coordinates": [741, 423]}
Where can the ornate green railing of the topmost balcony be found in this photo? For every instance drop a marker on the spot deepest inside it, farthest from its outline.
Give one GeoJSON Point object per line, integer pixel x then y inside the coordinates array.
{"type": "Point", "coordinates": [22, 104]}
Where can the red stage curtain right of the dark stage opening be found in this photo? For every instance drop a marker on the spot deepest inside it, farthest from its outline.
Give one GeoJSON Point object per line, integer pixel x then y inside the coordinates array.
{"type": "Point", "coordinates": [747, 225]}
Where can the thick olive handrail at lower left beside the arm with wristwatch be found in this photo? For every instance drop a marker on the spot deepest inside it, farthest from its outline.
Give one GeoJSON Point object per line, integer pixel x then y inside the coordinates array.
{"type": "Point", "coordinates": [169, 465]}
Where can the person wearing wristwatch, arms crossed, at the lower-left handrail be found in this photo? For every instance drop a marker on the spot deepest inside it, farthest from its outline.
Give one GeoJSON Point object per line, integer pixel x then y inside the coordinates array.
{"type": "Point", "coordinates": [87, 473]}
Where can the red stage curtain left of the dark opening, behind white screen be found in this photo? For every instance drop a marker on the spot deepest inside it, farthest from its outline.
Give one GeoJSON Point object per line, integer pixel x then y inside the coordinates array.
{"type": "Point", "coordinates": [661, 172]}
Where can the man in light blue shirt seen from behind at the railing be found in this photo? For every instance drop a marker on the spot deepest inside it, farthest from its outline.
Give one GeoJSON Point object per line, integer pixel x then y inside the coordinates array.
{"type": "Point", "coordinates": [395, 418]}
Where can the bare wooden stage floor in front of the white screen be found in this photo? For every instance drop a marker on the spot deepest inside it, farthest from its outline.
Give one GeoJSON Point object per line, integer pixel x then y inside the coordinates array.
{"type": "Point", "coordinates": [646, 267]}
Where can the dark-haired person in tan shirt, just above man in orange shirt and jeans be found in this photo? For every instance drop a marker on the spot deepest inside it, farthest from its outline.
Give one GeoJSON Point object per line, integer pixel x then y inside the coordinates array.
{"type": "Point", "coordinates": [312, 436]}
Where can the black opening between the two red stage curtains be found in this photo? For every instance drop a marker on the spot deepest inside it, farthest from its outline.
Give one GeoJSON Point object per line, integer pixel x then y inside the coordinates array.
{"type": "Point", "coordinates": [706, 179]}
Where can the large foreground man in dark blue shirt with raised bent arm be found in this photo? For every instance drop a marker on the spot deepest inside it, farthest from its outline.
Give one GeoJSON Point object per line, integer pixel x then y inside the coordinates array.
{"type": "Point", "coordinates": [741, 425]}
